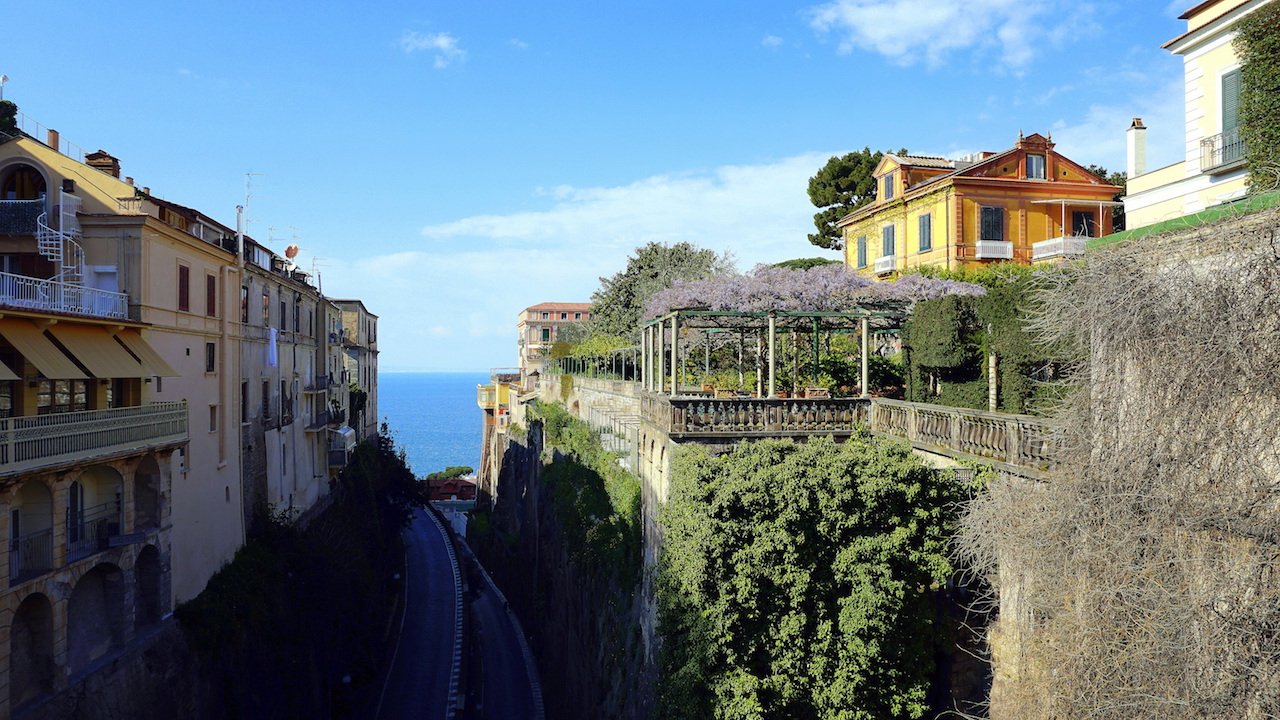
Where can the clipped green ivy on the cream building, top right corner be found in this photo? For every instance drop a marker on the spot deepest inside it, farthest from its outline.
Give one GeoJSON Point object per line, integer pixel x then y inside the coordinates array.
{"type": "Point", "coordinates": [1259, 48]}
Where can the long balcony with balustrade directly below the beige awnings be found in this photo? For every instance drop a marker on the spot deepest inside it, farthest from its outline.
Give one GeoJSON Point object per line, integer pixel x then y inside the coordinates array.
{"type": "Point", "coordinates": [40, 441]}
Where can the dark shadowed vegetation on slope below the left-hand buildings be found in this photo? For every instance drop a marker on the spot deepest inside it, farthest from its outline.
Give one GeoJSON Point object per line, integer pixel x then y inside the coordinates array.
{"type": "Point", "coordinates": [296, 610]}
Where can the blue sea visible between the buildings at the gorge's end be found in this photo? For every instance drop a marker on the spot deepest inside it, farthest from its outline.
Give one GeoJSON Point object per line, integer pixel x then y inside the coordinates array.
{"type": "Point", "coordinates": [433, 417]}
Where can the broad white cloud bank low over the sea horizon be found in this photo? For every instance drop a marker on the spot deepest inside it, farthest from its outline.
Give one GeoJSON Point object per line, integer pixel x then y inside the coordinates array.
{"type": "Point", "coordinates": [452, 306]}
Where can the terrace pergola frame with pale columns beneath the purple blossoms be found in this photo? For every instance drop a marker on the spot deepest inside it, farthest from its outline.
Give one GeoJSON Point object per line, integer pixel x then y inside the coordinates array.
{"type": "Point", "coordinates": [660, 347]}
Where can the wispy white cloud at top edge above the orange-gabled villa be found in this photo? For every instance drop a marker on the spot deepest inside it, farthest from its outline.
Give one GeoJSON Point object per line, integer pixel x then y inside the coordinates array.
{"type": "Point", "coordinates": [909, 31]}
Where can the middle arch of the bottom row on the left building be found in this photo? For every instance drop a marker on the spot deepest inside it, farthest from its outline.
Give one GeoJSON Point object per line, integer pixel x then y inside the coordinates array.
{"type": "Point", "coordinates": [98, 617]}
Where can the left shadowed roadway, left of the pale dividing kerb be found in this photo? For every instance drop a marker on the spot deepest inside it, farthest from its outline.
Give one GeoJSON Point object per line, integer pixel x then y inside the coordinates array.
{"type": "Point", "coordinates": [418, 682]}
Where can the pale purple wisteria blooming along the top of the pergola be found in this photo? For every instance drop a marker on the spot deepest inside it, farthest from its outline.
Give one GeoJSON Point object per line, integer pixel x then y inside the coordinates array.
{"type": "Point", "coordinates": [826, 289]}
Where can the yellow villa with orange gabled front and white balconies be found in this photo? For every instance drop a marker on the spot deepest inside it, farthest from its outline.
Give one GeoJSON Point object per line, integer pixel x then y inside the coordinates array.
{"type": "Point", "coordinates": [1028, 204]}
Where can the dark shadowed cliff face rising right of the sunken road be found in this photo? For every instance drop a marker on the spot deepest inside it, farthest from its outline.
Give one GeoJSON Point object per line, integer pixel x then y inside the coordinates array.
{"type": "Point", "coordinates": [584, 625]}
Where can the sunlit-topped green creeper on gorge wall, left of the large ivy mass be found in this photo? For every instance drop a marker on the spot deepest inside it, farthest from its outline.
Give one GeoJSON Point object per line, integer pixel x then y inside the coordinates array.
{"type": "Point", "coordinates": [597, 502]}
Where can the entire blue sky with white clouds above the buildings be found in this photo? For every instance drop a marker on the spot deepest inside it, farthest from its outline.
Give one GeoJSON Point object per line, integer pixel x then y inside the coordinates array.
{"type": "Point", "coordinates": [452, 163]}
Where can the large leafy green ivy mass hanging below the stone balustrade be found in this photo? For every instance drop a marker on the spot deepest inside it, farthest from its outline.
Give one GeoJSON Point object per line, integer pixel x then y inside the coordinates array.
{"type": "Point", "coordinates": [799, 581]}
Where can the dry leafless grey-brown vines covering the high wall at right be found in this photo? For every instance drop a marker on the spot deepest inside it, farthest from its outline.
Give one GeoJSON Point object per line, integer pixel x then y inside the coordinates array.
{"type": "Point", "coordinates": [1142, 580]}
